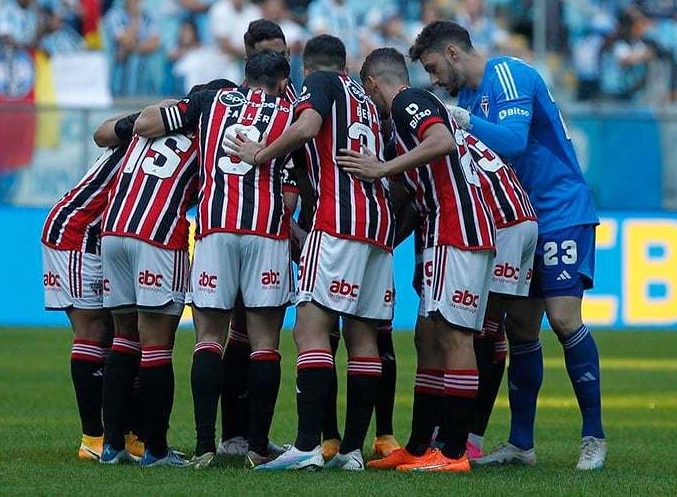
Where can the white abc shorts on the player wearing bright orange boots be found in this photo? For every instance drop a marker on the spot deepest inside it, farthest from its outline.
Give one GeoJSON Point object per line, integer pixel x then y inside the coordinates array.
{"type": "Point", "coordinates": [456, 284]}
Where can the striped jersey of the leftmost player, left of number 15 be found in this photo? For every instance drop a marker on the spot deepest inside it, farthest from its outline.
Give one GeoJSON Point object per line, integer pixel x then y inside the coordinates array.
{"type": "Point", "coordinates": [74, 223]}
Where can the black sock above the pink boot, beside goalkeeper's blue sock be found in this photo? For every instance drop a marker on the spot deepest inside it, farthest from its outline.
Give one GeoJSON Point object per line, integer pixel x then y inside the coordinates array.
{"type": "Point", "coordinates": [488, 386]}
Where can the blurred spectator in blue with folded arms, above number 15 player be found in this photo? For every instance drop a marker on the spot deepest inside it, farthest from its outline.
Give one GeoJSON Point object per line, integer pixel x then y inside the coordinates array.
{"type": "Point", "coordinates": [133, 40]}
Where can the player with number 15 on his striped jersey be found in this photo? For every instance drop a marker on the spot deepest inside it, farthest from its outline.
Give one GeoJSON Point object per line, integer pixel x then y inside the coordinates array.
{"type": "Point", "coordinates": [146, 271]}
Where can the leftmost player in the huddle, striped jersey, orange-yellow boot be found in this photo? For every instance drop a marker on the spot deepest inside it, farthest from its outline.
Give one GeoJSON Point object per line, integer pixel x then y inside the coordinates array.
{"type": "Point", "coordinates": [73, 282]}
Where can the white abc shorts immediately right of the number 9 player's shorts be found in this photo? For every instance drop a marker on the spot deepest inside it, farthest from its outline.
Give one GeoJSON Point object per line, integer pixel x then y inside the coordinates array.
{"type": "Point", "coordinates": [348, 277]}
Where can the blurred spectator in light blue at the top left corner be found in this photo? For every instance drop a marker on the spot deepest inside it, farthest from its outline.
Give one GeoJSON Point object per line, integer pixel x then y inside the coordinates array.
{"type": "Point", "coordinates": [18, 23]}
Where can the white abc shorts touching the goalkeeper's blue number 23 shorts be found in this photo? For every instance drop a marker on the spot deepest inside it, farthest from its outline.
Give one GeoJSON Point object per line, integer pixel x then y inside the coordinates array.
{"type": "Point", "coordinates": [513, 266]}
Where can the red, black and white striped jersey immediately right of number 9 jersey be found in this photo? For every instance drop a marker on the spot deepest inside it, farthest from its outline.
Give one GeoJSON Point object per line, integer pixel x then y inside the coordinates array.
{"type": "Point", "coordinates": [346, 206]}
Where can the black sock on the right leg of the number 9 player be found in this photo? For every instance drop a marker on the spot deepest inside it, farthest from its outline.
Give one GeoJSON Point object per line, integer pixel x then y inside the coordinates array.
{"type": "Point", "coordinates": [264, 385]}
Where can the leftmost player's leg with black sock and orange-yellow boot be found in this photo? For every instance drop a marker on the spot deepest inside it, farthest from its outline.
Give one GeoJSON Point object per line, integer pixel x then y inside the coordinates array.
{"type": "Point", "coordinates": [92, 331]}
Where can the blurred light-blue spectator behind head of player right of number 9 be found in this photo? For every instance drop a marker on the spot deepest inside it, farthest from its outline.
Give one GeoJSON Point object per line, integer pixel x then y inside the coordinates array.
{"type": "Point", "coordinates": [338, 18]}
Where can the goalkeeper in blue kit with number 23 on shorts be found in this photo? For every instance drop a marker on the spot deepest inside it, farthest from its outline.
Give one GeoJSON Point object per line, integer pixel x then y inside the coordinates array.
{"type": "Point", "coordinates": [506, 104]}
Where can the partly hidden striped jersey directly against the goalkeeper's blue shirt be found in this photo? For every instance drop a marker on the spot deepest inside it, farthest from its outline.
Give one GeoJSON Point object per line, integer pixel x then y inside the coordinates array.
{"type": "Point", "coordinates": [503, 192]}
